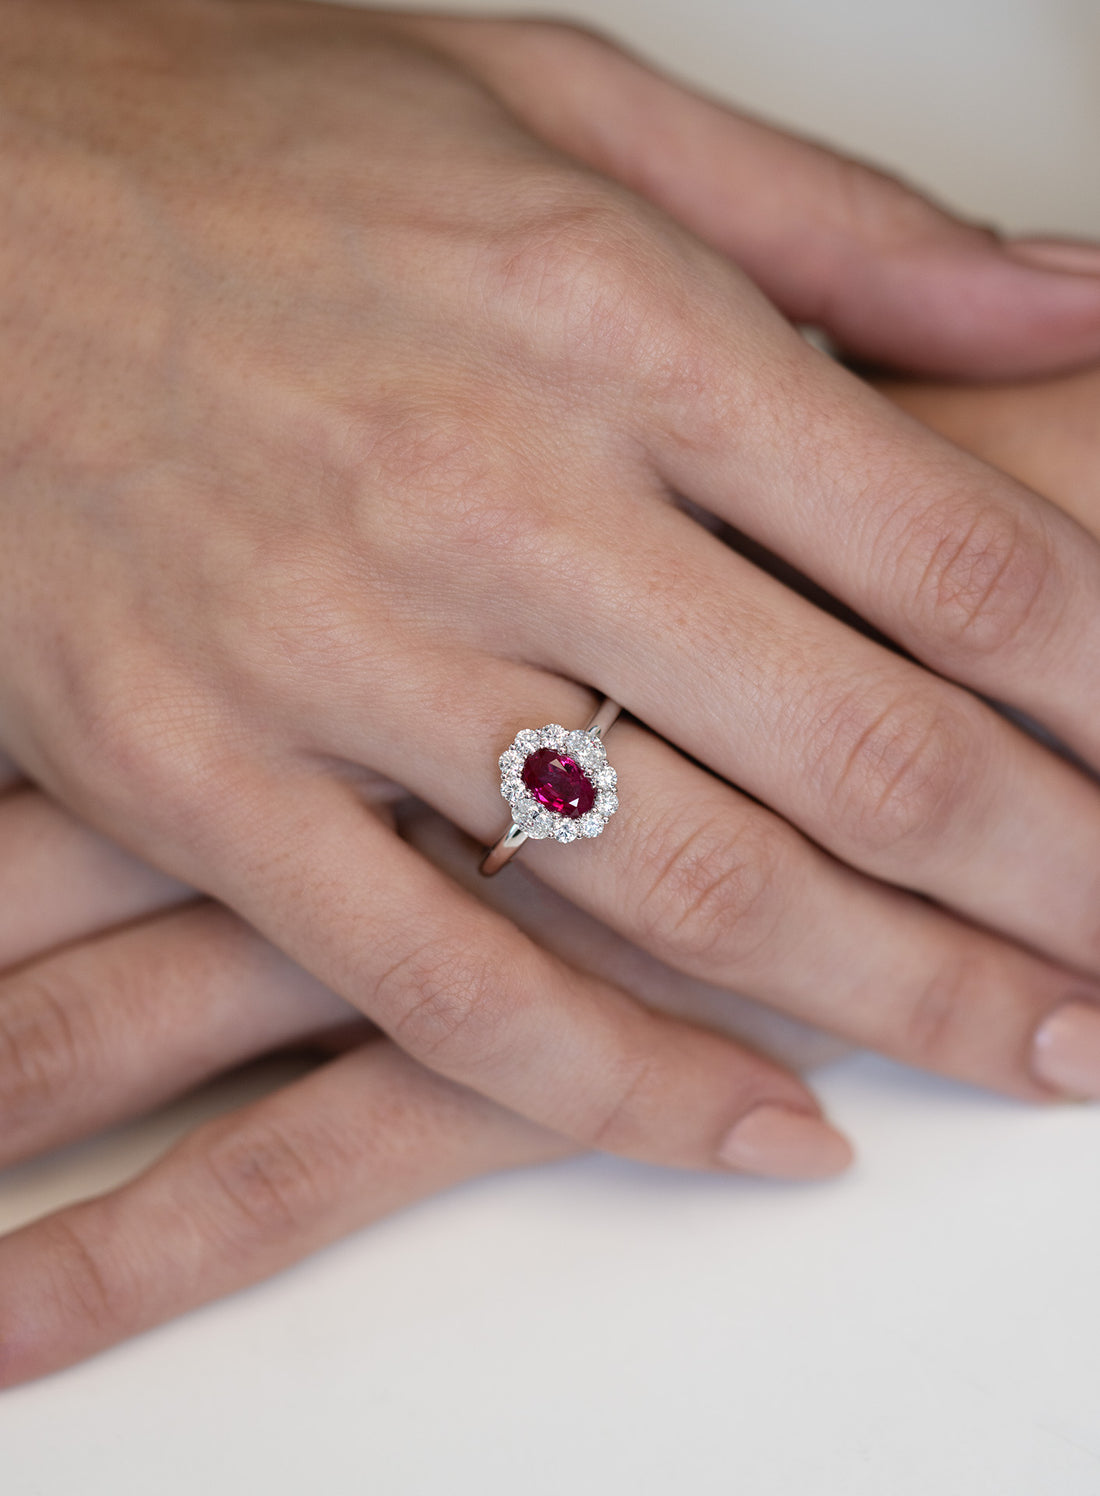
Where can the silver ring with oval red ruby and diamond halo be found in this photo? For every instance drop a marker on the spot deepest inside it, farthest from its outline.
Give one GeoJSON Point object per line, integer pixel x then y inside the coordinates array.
{"type": "Point", "coordinates": [557, 783]}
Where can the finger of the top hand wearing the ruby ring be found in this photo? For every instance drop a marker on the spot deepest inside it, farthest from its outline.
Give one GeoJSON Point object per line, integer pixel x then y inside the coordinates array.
{"type": "Point", "coordinates": [719, 886]}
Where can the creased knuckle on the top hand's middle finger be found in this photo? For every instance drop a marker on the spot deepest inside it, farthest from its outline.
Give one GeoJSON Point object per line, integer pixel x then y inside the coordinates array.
{"type": "Point", "coordinates": [897, 771]}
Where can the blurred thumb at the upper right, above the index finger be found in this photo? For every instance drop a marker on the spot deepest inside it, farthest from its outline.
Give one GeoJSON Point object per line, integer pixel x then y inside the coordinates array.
{"type": "Point", "coordinates": [891, 276]}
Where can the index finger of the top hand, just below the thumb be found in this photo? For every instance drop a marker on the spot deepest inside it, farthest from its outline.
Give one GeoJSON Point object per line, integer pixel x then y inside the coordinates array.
{"type": "Point", "coordinates": [969, 571]}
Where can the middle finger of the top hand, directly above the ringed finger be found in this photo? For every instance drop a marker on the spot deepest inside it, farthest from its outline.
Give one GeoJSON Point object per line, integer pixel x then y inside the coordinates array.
{"type": "Point", "coordinates": [896, 771]}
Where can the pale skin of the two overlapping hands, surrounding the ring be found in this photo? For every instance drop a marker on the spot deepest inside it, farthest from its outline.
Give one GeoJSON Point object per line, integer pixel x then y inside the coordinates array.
{"type": "Point", "coordinates": [352, 367]}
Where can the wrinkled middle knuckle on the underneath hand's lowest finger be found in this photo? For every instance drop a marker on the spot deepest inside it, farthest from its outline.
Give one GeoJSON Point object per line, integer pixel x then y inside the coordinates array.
{"type": "Point", "coordinates": [267, 1186]}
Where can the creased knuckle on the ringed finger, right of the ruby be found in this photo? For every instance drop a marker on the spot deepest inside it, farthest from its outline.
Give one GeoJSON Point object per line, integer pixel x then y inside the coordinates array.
{"type": "Point", "coordinates": [715, 897]}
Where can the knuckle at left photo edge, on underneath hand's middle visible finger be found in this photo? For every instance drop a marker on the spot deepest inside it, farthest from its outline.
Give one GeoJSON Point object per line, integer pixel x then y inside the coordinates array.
{"type": "Point", "coordinates": [46, 1042]}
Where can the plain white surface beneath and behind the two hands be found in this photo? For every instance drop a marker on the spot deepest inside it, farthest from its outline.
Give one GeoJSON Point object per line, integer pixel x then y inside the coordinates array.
{"type": "Point", "coordinates": [927, 1328]}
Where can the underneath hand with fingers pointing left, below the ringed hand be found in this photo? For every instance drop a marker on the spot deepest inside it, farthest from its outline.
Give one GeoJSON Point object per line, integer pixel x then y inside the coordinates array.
{"type": "Point", "coordinates": [120, 990]}
